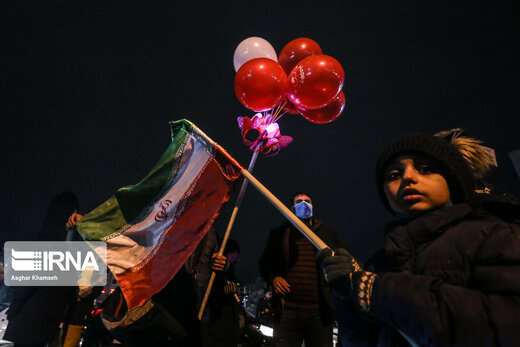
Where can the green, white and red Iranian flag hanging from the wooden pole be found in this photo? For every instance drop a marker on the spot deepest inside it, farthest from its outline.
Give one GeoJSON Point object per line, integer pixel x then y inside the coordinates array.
{"type": "Point", "coordinates": [152, 227]}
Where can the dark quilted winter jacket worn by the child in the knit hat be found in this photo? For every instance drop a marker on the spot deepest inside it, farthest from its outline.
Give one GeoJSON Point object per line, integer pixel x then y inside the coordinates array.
{"type": "Point", "coordinates": [450, 277]}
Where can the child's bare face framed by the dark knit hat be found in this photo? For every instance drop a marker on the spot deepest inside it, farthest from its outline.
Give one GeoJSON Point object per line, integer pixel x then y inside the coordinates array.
{"type": "Point", "coordinates": [414, 185]}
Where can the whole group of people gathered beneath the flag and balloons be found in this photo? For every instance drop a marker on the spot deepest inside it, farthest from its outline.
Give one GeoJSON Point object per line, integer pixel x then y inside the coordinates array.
{"type": "Point", "coordinates": [448, 273]}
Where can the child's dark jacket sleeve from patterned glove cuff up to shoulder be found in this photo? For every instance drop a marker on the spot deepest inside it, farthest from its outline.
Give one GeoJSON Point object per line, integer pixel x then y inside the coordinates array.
{"type": "Point", "coordinates": [484, 312]}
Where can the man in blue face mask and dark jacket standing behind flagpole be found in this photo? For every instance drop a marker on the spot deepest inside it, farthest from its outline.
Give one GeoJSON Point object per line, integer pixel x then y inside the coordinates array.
{"type": "Point", "coordinates": [301, 299]}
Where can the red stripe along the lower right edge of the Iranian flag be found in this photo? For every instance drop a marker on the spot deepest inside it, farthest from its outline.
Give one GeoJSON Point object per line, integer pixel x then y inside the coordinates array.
{"type": "Point", "coordinates": [202, 206]}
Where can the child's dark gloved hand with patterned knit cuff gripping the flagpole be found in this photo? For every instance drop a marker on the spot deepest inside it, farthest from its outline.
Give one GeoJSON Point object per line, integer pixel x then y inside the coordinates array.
{"type": "Point", "coordinates": [346, 278]}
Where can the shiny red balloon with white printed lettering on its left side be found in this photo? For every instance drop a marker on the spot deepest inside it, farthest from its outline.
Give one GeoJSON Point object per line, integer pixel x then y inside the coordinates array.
{"type": "Point", "coordinates": [315, 81]}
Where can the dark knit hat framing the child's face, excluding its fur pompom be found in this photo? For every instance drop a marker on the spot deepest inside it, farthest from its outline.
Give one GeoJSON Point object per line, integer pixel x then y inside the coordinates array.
{"type": "Point", "coordinates": [454, 167]}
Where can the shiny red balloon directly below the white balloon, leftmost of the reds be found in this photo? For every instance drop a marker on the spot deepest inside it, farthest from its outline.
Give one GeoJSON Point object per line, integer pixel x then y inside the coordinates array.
{"type": "Point", "coordinates": [260, 84]}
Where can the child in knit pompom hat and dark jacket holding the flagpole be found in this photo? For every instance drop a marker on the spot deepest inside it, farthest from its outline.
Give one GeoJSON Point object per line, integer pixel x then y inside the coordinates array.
{"type": "Point", "coordinates": [449, 274]}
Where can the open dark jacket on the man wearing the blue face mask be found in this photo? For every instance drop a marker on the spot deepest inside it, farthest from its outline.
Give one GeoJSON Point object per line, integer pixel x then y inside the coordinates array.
{"type": "Point", "coordinates": [280, 255]}
